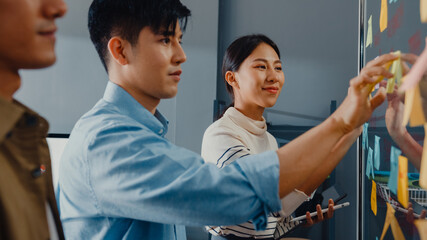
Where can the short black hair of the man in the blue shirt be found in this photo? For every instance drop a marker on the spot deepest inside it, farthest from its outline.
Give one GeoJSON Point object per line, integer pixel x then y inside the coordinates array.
{"type": "Point", "coordinates": [126, 19]}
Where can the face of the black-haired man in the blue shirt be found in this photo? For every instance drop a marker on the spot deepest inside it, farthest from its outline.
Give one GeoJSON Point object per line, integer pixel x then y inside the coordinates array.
{"type": "Point", "coordinates": [155, 65]}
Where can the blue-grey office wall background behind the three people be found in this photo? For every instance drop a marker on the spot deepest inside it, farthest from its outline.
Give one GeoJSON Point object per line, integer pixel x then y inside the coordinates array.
{"type": "Point", "coordinates": [319, 45]}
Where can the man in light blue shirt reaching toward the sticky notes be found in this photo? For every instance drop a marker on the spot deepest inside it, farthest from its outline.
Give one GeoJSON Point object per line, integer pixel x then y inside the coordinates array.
{"type": "Point", "coordinates": [121, 179]}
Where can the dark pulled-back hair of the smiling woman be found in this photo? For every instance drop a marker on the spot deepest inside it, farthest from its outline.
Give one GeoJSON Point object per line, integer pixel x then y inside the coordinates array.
{"type": "Point", "coordinates": [238, 51]}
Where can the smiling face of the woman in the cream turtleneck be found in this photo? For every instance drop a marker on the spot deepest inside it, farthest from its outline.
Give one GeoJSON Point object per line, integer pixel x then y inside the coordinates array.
{"type": "Point", "coordinates": [259, 79]}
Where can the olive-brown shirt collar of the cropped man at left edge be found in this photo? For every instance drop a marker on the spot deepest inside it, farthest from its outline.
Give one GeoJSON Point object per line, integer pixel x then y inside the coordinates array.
{"type": "Point", "coordinates": [11, 113]}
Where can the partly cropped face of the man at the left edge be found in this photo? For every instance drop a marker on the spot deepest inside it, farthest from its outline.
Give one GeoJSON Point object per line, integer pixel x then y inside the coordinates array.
{"type": "Point", "coordinates": [27, 30]}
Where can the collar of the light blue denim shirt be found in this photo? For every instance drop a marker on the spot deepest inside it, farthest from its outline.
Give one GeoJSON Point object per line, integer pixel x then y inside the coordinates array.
{"type": "Point", "coordinates": [129, 106]}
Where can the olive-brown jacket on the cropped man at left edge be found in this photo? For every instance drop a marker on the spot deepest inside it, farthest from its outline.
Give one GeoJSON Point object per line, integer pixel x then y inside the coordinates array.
{"type": "Point", "coordinates": [25, 175]}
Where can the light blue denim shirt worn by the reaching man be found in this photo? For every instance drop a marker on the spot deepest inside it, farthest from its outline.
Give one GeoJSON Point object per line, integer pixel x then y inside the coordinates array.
{"type": "Point", "coordinates": [120, 178]}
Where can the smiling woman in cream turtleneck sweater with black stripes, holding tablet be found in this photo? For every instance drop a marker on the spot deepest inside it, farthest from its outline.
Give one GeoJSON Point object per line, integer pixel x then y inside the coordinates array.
{"type": "Point", "coordinates": [254, 78]}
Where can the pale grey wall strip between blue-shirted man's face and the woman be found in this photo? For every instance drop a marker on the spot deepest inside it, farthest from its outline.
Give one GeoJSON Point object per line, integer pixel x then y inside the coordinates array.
{"type": "Point", "coordinates": [194, 102]}
